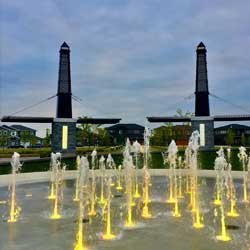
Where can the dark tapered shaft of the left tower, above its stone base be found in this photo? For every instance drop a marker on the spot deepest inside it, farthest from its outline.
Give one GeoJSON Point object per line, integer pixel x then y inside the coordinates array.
{"type": "Point", "coordinates": [64, 101]}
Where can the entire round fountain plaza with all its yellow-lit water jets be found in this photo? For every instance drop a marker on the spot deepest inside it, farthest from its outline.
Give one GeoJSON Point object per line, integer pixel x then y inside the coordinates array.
{"type": "Point", "coordinates": [104, 206]}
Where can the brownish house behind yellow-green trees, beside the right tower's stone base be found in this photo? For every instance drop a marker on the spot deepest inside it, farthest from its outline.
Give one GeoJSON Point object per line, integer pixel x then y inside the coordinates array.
{"type": "Point", "coordinates": [163, 135]}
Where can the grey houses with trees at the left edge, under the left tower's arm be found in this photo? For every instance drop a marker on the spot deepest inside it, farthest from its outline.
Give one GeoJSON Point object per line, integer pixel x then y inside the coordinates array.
{"type": "Point", "coordinates": [19, 136]}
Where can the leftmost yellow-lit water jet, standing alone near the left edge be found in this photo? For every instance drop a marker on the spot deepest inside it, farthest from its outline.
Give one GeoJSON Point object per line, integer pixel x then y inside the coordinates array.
{"type": "Point", "coordinates": [14, 209]}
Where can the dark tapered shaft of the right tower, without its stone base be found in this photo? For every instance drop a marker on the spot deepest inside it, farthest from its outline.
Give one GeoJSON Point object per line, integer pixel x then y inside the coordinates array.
{"type": "Point", "coordinates": [201, 90]}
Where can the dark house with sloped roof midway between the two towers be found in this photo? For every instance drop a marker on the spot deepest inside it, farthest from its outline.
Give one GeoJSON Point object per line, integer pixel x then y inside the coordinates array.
{"type": "Point", "coordinates": [120, 132]}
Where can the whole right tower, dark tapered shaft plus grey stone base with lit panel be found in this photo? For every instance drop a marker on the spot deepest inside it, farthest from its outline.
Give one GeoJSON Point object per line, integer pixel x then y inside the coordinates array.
{"type": "Point", "coordinates": [202, 121]}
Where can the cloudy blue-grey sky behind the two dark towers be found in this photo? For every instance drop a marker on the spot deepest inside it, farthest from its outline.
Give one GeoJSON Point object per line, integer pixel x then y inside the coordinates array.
{"type": "Point", "coordinates": [129, 58]}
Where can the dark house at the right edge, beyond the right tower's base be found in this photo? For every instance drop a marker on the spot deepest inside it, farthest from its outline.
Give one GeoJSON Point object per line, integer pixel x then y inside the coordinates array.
{"type": "Point", "coordinates": [240, 134]}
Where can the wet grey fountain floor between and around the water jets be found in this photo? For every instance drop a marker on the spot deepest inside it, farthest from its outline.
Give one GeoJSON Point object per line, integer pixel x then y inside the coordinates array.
{"type": "Point", "coordinates": [35, 231]}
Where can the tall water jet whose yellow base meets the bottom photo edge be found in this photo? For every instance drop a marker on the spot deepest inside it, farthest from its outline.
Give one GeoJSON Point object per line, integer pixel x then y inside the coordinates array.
{"type": "Point", "coordinates": [83, 177]}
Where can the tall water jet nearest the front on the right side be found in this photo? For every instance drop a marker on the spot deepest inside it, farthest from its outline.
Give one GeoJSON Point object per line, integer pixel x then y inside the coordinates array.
{"type": "Point", "coordinates": [220, 166]}
